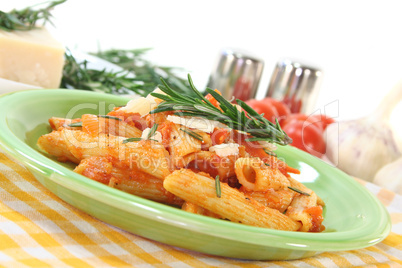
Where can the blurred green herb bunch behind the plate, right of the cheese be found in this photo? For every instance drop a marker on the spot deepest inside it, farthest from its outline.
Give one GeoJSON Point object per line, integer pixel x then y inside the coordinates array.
{"type": "Point", "coordinates": [138, 75]}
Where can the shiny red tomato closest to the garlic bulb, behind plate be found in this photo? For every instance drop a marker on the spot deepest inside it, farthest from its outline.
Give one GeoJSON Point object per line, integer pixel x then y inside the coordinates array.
{"type": "Point", "coordinates": [306, 137]}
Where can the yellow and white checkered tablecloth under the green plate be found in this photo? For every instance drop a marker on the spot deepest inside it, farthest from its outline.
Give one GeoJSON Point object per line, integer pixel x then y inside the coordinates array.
{"type": "Point", "coordinates": [37, 229]}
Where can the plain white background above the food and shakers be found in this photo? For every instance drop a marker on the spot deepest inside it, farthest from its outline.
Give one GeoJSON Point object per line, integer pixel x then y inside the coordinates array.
{"type": "Point", "coordinates": [357, 44]}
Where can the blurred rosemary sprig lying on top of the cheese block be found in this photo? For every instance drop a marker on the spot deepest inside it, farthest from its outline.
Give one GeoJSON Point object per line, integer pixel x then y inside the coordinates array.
{"type": "Point", "coordinates": [27, 18]}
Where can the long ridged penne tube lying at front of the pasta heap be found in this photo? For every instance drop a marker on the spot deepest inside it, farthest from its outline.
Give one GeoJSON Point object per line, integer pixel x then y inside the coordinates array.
{"type": "Point", "coordinates": [232, 204]}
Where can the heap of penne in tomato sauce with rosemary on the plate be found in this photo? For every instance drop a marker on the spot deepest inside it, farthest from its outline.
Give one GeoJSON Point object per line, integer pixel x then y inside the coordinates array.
{"type": "Point", "coordinates": [166, 153]}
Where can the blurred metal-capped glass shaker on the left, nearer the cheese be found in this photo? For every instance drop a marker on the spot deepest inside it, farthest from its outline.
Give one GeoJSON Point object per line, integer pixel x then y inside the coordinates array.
{"type": "Point", "coordinates": [236, 74]}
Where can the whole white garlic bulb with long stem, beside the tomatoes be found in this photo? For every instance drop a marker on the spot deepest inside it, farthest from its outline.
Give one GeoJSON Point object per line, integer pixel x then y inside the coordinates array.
{"type": "Point", "coordinates": [361, 147]}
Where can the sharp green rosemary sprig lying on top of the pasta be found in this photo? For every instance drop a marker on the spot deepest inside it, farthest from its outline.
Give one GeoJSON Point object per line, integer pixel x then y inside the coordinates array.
{"type": "Point", "coordinates": [248, 120]}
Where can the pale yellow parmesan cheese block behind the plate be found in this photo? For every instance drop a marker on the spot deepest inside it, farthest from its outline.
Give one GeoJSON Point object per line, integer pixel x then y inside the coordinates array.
{"type": "Point", "coordinates": [32, 57]}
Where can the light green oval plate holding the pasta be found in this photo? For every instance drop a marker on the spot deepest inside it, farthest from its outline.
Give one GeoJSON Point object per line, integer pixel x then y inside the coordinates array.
{"type": "Point", "coordinates": [354, 218]}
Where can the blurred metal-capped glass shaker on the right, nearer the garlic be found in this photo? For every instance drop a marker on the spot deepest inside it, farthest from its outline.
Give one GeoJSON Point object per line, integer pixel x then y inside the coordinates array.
{"type": "Point", "coordinates": [296, 84]}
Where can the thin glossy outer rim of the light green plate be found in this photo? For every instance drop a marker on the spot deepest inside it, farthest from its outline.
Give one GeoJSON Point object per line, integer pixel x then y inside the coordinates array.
{"type": "Point", "coordinates": [43, 164]}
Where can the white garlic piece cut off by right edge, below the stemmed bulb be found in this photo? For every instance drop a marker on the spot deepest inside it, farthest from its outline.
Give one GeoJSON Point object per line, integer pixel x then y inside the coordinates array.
{"type": "Point", "coordinates": [390, 176]}
